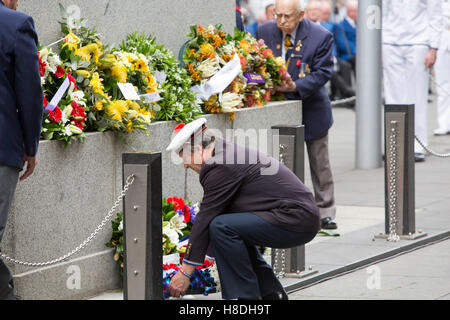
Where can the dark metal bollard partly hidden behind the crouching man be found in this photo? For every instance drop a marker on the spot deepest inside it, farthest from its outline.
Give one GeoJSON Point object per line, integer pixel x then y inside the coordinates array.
{"type": "Point", "coordinates": [292, 154]}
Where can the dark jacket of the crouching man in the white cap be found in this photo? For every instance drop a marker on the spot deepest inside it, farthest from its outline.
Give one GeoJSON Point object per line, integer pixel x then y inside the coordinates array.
{"type": "Point", "coordinates": [260, 185]}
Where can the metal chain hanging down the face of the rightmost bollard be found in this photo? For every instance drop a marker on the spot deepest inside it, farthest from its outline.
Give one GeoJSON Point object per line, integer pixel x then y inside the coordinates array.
{"type": "Point", "coordinates": [392, 196]}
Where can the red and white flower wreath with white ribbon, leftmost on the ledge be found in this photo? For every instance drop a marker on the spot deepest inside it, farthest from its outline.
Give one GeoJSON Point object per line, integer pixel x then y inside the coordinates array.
{"type": "Point", "coordinates": [66, 119]}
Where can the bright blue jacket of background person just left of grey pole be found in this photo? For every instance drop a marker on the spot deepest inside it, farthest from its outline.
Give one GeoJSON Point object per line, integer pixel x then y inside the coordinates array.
{"type": "Point", "coordinates": [345, 40]}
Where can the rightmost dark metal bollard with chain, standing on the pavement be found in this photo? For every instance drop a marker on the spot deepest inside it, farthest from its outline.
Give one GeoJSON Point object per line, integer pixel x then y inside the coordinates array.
{"type": "Point", "coordinates": [399, 174]}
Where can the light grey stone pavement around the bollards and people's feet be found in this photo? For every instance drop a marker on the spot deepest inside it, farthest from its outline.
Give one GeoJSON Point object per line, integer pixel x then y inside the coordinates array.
{"type": "Point", "coordinates": [420, 274]}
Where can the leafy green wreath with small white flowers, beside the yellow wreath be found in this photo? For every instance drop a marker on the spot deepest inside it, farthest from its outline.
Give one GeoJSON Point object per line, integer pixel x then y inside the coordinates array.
{"type": "Point", "coordinates": [177, 101]}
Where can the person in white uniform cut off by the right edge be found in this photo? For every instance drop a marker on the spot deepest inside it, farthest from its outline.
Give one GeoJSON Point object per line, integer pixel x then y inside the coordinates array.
{"type": "Point", "coordinates": [442, 71]}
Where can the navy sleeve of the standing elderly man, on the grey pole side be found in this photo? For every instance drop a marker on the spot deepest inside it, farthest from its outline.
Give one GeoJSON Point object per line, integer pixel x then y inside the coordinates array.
{"type": "Point", "coordinates": [321, 69]}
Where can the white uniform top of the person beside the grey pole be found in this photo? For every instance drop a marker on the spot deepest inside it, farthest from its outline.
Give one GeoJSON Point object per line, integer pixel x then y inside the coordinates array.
{"type": "Point", "coordinates": [412, 22]}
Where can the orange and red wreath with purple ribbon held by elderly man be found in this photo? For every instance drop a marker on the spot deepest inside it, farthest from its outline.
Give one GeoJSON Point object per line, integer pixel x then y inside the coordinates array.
{"type": "Point", "coordinates": [260, 67]}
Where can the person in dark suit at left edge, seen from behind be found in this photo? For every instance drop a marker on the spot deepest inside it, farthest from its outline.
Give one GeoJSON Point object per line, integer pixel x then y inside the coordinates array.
{"type": "Point", "coordinates": [20, 113]}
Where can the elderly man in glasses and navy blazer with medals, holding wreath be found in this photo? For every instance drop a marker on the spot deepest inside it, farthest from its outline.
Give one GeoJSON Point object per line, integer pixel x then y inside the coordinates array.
{"type": "Point", "coordinates": [307, 48]}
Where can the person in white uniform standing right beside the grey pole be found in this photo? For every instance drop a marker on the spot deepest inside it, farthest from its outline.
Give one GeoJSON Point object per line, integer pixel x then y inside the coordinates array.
{"type": "Point", "coordinates": [411, 35]}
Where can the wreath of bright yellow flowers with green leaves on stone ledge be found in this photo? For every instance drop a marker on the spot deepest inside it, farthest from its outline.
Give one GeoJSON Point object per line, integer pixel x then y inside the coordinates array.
{"type": "Point", "coordinates": [97, 72]}
